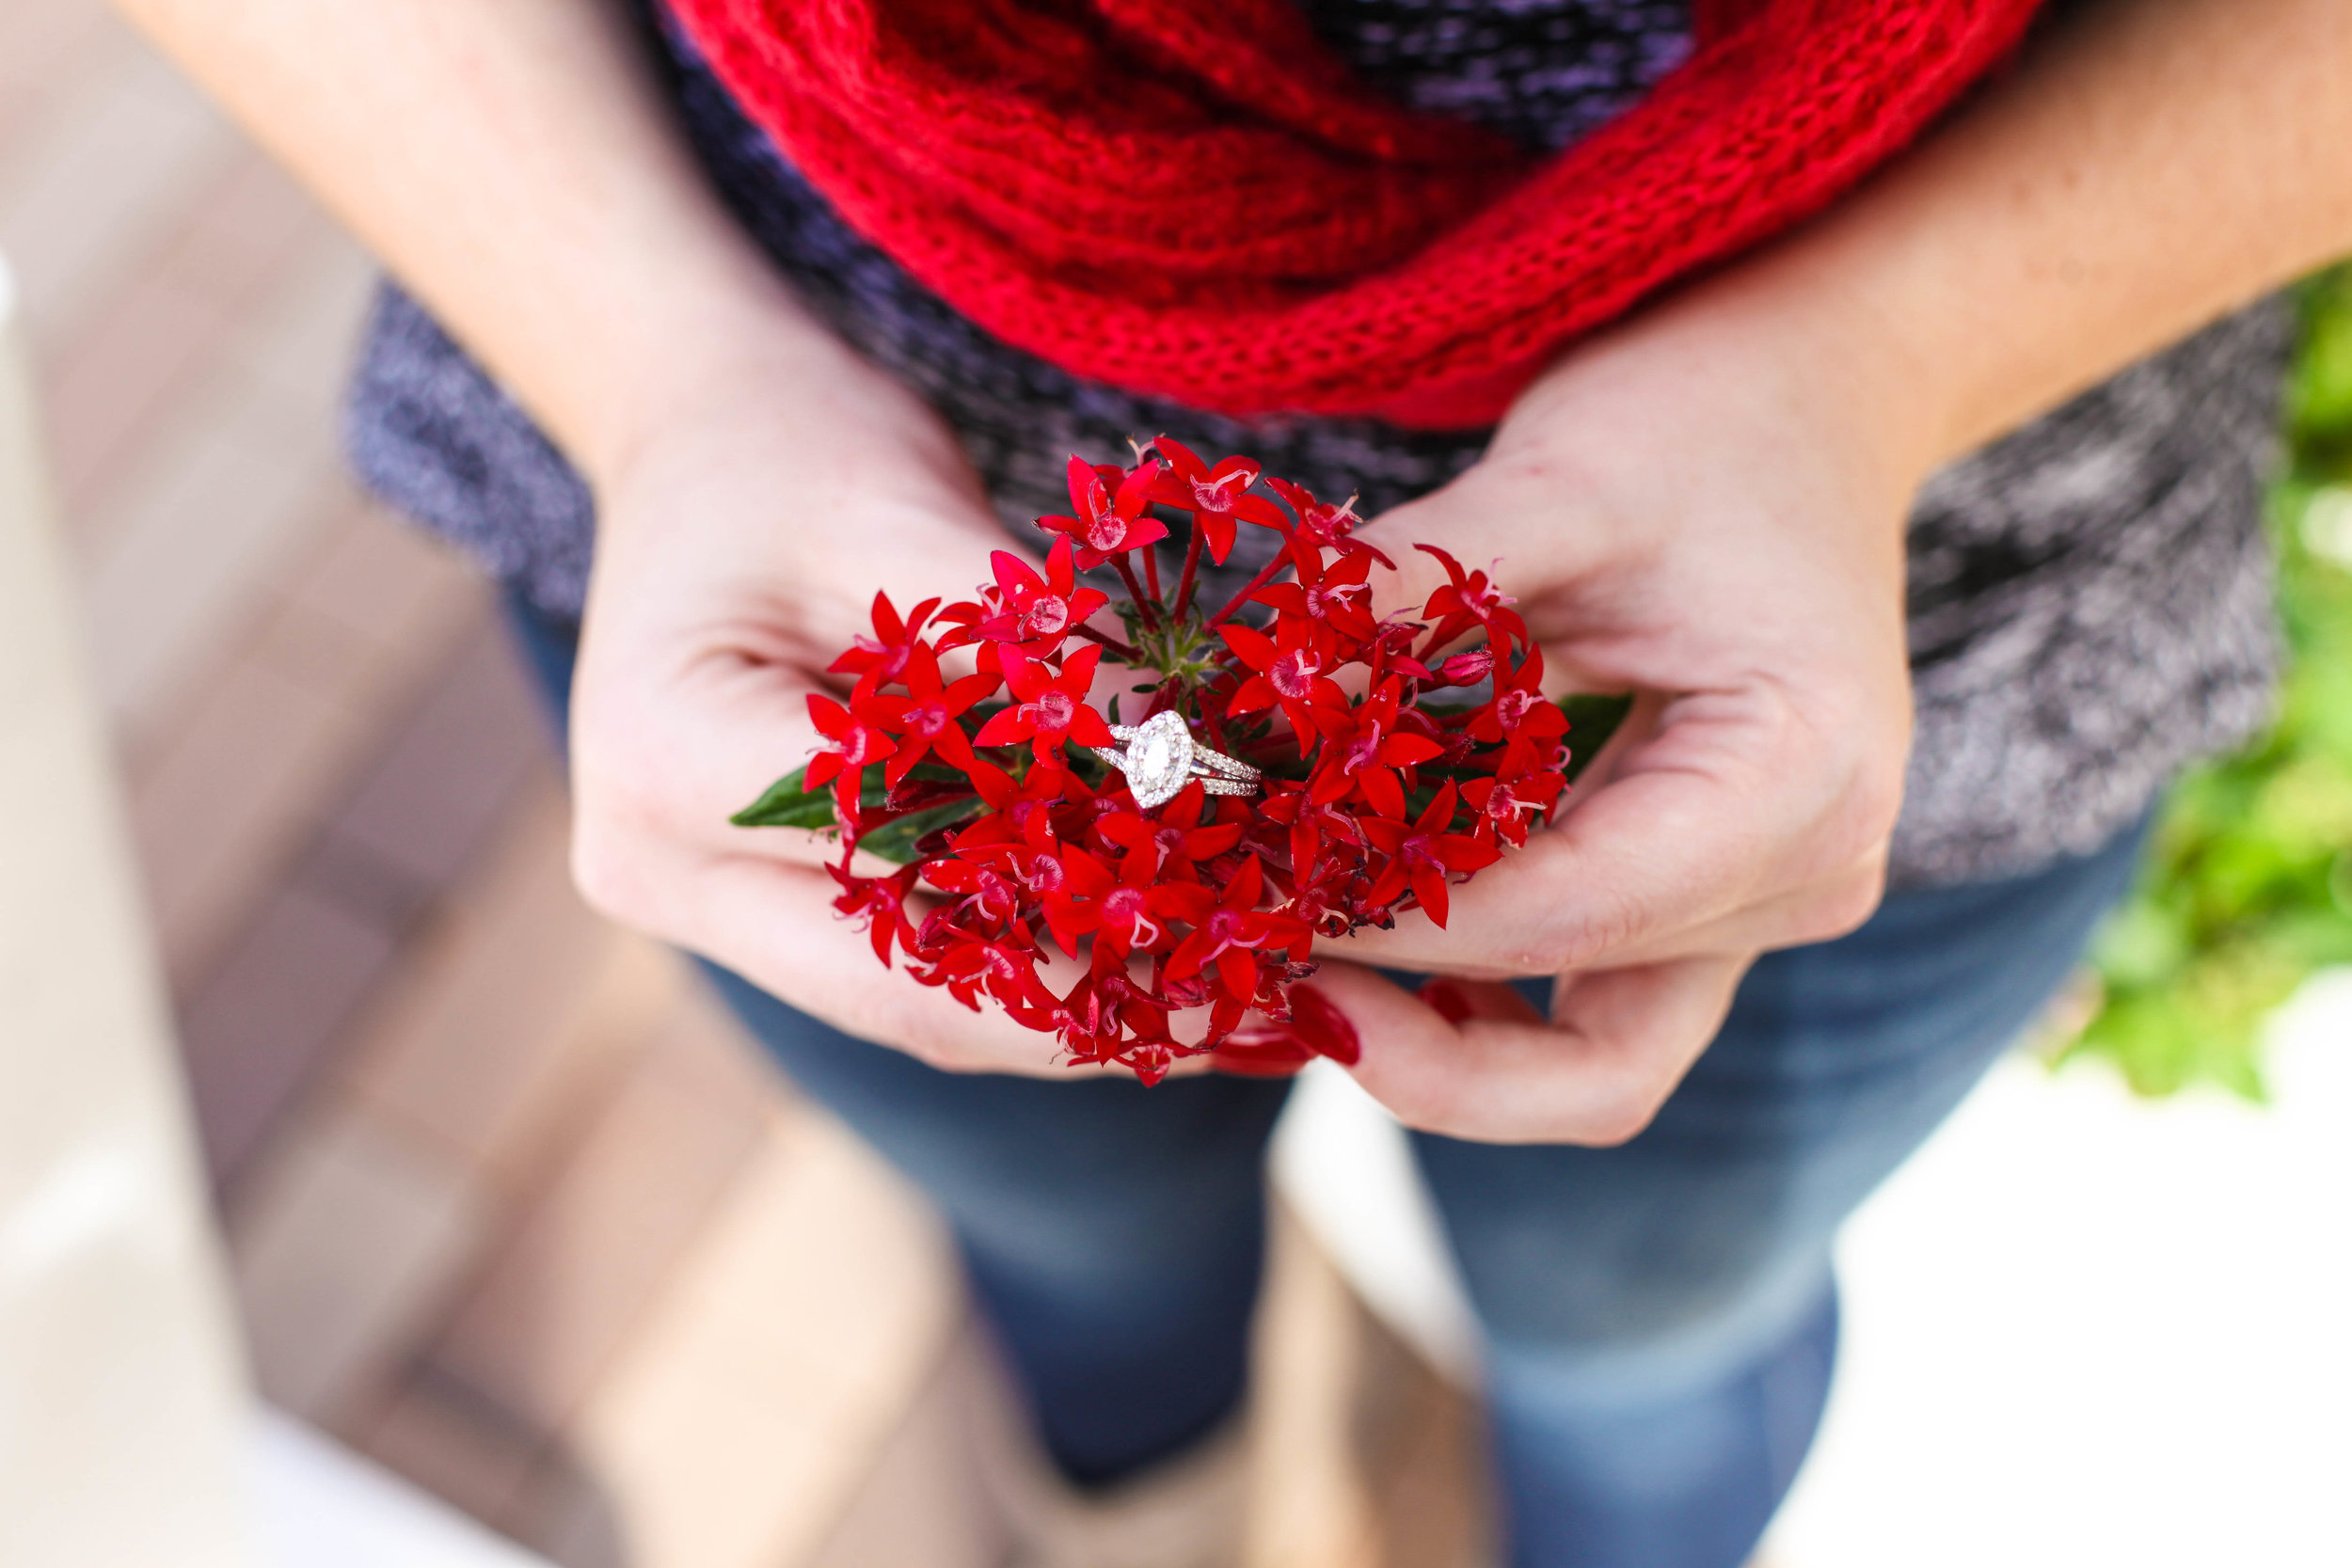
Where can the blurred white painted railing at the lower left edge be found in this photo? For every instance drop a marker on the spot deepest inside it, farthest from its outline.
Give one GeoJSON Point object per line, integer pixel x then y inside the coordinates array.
{"type": "Point", "coordinates": [128, 1438]}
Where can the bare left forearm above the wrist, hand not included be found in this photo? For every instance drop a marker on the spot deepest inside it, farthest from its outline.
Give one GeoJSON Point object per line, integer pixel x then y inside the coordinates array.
{"type": "Point", "coordinates": [514, 166]}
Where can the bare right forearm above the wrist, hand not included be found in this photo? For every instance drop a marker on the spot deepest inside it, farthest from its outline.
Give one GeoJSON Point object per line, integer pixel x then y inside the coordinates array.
{"type": "Point", "coordinates": [2146, 168]}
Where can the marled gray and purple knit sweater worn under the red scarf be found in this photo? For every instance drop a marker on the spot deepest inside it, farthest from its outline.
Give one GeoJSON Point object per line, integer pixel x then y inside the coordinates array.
{"type": "Point", "coordinates": [2090, 596]}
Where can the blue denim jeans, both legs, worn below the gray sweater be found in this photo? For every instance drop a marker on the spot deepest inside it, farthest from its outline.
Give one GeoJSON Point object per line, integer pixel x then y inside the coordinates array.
{"type": "Point", "coordinates": [1659, 1318]}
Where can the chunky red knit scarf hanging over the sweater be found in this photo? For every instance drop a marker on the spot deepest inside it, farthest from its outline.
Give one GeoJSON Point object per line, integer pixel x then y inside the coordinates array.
{"type": "Point", "coordinates": [1196, 199]}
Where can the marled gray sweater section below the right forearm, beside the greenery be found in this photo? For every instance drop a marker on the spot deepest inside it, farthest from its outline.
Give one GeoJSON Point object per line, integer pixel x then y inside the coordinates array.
{"type": "Point", "coordinates": [2090, 608]}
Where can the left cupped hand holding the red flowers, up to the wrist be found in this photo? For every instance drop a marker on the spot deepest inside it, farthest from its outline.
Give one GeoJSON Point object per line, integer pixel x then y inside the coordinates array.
{"type": "Point", "coordinates": [740, 549]}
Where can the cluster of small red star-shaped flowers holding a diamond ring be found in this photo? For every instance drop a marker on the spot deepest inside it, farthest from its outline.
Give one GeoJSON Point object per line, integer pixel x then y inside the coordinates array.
{"type": "Point", "coordinates": [1297, 768]}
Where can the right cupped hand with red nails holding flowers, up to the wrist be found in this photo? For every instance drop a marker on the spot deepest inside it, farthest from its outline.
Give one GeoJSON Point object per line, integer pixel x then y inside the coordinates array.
{"type": "Point", "coordinates": [1706, 516]}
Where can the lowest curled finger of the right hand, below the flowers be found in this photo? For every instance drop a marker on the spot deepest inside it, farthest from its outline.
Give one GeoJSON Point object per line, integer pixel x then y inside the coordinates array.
{"type": "Point", "coordinates": [1593, 1076]}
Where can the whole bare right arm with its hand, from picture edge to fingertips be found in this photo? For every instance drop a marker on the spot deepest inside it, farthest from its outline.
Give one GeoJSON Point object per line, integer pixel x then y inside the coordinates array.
{"type": "Point", "coordinates": [1709, 507]}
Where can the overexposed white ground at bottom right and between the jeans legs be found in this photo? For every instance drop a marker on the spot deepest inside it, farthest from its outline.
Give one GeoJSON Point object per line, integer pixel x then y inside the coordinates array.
{"type": "Point", "coordinates": [2080, 1327]}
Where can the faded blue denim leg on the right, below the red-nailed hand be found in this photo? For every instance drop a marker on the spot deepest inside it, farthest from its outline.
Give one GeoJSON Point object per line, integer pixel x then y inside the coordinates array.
{"type": "Point", "coordinates": [1662, 1315]}
